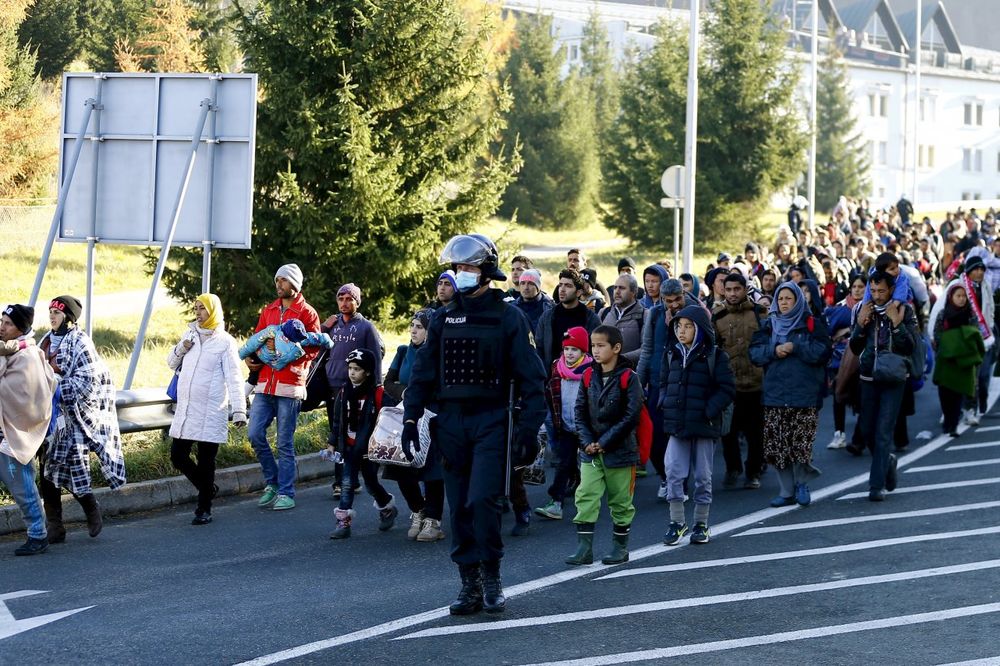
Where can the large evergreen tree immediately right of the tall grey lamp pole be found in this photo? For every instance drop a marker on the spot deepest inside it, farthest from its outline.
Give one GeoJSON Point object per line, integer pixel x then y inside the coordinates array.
{"type": "Point", "coordinates": [750, 135]}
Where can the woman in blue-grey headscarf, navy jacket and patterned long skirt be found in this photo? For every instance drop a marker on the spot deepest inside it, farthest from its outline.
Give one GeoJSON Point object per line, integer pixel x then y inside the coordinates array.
{"type": "Point", "coordinates": [793, 347]}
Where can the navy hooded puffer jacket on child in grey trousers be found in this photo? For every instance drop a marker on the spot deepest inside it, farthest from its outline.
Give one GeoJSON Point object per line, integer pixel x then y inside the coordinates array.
{"type": "Point", "coordinates": [691, 398]}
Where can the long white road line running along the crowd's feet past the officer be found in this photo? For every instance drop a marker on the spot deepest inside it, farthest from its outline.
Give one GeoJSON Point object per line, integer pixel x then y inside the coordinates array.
{"type": "Point", "coordinates": [642, 553]}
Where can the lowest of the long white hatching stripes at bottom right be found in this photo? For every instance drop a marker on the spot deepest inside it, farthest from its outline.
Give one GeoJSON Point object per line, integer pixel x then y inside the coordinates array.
{"type": "Point", "coordinates": [782, 637]}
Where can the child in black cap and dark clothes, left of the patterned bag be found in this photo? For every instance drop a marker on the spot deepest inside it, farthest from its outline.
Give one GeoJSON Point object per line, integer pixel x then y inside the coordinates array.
{"type": "Point", "coordinates": [354, 413]}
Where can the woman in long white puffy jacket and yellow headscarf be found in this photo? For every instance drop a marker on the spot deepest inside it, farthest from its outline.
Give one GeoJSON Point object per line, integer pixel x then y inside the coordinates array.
{"type": "Point", "coordinates": [209, 386]}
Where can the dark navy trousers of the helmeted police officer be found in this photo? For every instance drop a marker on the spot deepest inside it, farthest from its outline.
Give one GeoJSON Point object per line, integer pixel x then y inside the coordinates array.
{"type": "Point", "coordinates": [473, 448]}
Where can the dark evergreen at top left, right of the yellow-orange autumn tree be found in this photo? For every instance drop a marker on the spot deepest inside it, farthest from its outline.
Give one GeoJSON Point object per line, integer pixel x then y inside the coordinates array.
{"type": "Point", "coordinates": [53, 31]}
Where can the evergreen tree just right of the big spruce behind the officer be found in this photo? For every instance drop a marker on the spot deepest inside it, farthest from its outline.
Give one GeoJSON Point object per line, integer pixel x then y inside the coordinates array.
{"type": "Point", "coordinates": [552, 118]}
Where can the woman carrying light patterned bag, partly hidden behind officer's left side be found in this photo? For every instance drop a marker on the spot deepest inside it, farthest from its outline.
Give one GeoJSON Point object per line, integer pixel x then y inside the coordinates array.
{"type": "Point", "coordinates": [425, 507]}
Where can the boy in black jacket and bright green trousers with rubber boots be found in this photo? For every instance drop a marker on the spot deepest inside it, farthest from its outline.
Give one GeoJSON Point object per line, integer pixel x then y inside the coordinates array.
{"type": "Point", "coordinates": [608, 409]}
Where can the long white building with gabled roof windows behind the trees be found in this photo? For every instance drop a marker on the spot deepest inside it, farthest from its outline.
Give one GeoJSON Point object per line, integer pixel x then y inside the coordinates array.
{"type": "Point", "coordinates": [952, 154]}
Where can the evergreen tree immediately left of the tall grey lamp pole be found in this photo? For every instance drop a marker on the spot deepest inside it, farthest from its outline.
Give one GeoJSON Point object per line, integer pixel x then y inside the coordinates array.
{"type": "Point", "coordinates": [647, 138]}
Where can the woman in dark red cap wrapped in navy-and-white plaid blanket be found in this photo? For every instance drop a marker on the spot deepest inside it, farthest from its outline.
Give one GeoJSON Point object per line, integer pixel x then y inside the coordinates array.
{"type": "Point", "coordinates": [85, 420]}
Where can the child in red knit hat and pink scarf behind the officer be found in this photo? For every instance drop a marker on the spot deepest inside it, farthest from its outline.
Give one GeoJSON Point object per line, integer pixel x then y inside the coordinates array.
{"type": "Point", "coordinates": [561, 392]}
